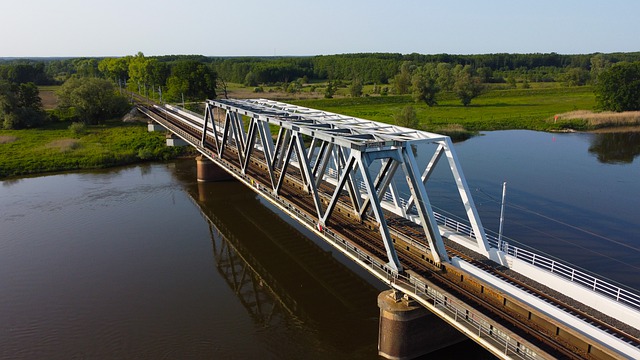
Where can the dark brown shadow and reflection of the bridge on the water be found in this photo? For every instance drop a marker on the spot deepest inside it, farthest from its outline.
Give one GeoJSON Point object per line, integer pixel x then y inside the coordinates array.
{"type": "Point", "coordinates": [285, 276]}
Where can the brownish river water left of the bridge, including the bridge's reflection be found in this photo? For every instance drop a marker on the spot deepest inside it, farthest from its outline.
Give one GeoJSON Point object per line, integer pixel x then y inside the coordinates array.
{"type": "Point", "coordinates": [126, 264]}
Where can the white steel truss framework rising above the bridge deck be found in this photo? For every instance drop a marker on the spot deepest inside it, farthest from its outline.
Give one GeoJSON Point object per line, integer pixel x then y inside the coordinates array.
{"type": "Point", "coordinates": [335, 155]}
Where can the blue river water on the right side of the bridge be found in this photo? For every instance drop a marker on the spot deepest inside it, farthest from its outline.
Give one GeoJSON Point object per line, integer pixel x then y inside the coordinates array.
{"type": "Point", "coordinates": [574, 196]}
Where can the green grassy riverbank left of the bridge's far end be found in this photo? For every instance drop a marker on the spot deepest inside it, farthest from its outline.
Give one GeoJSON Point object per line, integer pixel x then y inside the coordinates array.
{"type": "Point", "coordinates": [57, 148]}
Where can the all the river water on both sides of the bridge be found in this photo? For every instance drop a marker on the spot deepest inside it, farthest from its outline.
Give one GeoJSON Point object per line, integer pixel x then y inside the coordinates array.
{"type": "Point", "coordinates": [125, 263]}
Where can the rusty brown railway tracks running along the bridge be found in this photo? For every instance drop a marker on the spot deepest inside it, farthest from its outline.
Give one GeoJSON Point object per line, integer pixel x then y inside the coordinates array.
{"type": "Point", "coordinates": [364, 234]}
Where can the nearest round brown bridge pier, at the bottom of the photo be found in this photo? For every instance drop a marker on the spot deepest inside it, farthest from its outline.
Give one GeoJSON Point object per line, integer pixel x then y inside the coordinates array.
{"type": "Point", "coordinates": [407, 330]}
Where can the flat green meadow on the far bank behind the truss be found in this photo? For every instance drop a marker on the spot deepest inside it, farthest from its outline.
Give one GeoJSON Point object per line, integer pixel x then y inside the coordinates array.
{"type": "Point", "coordinates": [532, 109]}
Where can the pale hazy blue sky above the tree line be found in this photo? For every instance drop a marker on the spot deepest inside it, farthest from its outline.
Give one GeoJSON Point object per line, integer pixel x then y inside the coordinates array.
{"type": "Point", "coordinates": [78, 28]}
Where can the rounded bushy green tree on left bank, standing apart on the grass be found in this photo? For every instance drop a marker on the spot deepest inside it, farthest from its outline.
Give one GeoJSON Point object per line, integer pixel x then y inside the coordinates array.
{"type": "Point", "coordinates": [93, 99]}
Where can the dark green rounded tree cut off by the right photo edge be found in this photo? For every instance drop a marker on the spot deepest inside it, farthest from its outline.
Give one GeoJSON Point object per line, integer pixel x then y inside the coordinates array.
{"type": "Point", "coordinates": [618, 87]}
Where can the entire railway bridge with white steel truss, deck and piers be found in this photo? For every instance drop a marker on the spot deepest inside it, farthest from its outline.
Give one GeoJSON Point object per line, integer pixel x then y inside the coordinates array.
{"type": "Point", "coordinates": [358, 185]}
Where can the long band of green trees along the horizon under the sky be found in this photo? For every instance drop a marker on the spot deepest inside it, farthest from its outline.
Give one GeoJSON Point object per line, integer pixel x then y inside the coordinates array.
{"type": "Point", "coordinates": [196, 77]}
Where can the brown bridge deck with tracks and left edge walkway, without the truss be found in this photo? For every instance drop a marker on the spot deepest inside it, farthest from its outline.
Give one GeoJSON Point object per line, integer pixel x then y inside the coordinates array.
{"type": "Point", "coordinates": [412, 247]}
